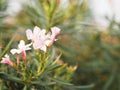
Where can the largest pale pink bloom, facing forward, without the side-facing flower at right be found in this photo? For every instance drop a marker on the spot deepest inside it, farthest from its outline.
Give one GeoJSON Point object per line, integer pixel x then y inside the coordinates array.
{"type": "Point", "coordinates": [38, 37]}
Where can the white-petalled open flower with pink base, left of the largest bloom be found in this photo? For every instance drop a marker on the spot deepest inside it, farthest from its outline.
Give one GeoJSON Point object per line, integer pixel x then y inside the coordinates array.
{"type": "Point", "coordinates": [21, 48]}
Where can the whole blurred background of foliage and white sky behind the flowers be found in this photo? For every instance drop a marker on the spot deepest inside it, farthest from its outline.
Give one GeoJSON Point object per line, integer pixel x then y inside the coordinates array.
{"type": "Point", "coordinates": [90, 35]}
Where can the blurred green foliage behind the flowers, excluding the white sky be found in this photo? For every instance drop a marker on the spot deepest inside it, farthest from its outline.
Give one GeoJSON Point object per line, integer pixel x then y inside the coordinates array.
{"type": "Point", "coordinates": [95, 50]}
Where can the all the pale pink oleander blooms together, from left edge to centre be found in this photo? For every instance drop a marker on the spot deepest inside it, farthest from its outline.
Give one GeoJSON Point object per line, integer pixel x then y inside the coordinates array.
{"type": "Point", "coordinates": [40, 40]}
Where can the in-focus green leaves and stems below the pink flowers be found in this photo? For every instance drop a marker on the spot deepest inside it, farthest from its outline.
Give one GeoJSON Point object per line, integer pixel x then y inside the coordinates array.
{"type": "Point", "coordinates": [38, 72]}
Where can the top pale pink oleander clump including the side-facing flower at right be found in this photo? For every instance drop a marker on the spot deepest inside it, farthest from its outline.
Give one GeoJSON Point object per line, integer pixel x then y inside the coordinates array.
{"type": "Point", "coordinates": [40, 39]}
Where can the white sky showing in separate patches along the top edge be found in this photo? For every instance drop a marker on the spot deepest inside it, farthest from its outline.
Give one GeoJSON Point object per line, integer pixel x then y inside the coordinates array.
{"type": "Point", "coordinates": [100, 9]}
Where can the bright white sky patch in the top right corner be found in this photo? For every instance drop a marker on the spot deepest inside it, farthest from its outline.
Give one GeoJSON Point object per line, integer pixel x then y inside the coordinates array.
{"type": "Point", "coordinates": [102, 8]}
